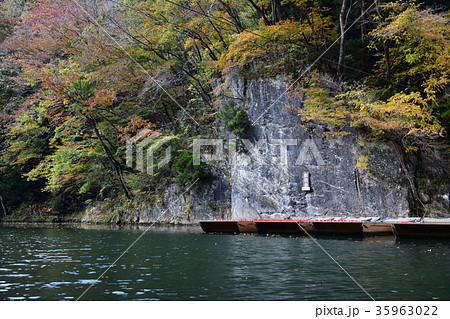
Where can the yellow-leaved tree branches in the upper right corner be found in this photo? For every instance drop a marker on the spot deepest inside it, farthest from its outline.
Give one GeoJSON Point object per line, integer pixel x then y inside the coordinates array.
{"type": "Point", "coordinates": [418, 42]}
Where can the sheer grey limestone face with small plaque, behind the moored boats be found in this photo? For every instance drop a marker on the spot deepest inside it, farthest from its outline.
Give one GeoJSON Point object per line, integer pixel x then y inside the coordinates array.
{"type": "Point", "coordinates": [347, 176]}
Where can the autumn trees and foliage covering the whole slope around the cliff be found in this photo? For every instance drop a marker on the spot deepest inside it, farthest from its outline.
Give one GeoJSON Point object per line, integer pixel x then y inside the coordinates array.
{"type": "Point", "coordinates": [80, 79]}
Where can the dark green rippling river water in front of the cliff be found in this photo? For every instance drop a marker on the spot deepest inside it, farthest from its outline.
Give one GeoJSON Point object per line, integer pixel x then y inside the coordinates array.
{"type": "Point", "coordinates": [40, 263]}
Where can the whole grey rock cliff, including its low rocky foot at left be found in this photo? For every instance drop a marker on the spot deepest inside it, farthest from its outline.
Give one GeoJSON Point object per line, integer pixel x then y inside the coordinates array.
{"type": "Point", "coordinates": [281, 168]}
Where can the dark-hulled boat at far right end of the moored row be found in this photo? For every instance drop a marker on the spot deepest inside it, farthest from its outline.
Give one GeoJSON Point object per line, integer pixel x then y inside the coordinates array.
{"type": "Point", "coordinates": [422, 230]}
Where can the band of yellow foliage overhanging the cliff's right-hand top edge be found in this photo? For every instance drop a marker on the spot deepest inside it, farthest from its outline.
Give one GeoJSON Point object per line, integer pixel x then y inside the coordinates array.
{"type": "Point", "coordinates": [405, 113]}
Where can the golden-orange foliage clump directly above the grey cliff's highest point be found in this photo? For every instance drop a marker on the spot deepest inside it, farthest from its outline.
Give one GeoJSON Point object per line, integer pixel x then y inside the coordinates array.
{"type": "Point", "coordinates": [284, 45]}
